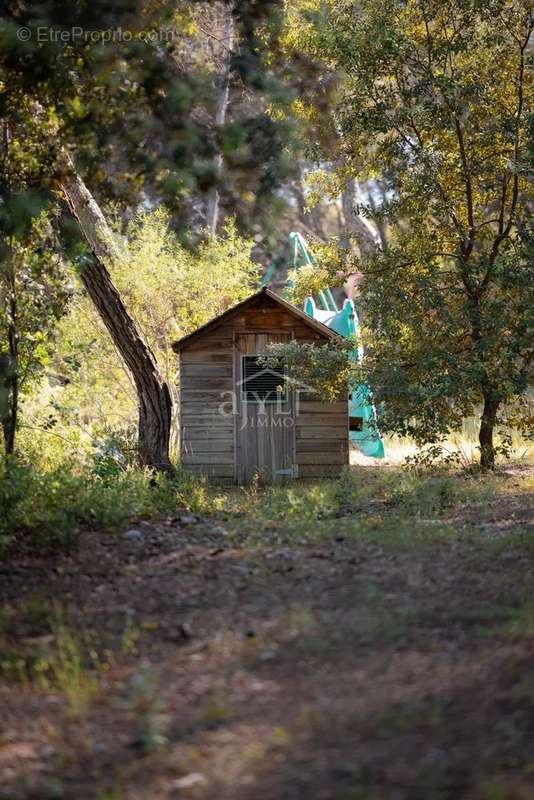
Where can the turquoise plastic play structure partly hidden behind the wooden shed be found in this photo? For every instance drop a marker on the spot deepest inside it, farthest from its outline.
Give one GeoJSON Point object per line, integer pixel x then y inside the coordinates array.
{"type": "Point", "coordinates": [362, 415]}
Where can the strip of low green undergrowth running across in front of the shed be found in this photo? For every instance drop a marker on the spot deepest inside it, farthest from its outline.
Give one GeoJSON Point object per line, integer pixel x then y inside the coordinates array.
{"type": "Point", "coordinates": [47, 507]}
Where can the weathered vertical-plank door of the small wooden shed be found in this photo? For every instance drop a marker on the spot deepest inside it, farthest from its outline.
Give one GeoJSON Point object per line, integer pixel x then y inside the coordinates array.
{"type": "Point", "coordinates": [265, 421]}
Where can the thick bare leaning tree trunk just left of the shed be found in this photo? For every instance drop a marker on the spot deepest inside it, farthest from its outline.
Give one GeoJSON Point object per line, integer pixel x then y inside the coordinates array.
{"type": "Point", "coordinates": [153, 394]}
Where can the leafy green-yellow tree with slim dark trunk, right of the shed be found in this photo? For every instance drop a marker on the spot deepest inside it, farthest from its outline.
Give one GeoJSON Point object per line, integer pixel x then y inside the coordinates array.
{"type": "Point", "coordinates": [437, 98]}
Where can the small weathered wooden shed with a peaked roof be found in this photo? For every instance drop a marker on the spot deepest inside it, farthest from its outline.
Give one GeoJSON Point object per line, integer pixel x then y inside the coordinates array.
{"type": "Point", "coordinates": [235, 418]}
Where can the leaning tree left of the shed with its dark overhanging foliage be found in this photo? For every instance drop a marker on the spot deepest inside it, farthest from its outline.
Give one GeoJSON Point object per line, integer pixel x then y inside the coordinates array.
{"type": "Point", "coordinates": [116, 105]}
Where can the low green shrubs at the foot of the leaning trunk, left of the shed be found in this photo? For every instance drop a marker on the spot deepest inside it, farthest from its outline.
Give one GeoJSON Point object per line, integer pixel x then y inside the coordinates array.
{"type": "Point", "coordinates": [48, 508]}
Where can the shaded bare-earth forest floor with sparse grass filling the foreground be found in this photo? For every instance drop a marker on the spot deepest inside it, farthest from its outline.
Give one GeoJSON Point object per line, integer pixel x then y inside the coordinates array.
{"type": "Point", "coordinates": [367, 639]}
